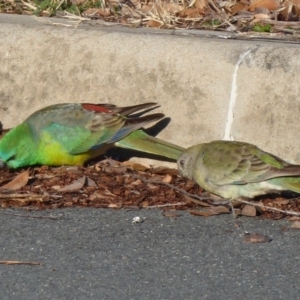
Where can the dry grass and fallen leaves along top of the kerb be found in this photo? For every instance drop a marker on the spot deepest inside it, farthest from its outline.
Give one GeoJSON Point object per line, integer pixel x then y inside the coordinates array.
{"type": "Point", "coordinates": [230, 15]}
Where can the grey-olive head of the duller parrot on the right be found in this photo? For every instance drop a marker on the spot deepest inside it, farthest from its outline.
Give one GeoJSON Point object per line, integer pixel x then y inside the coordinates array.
{"type": "Point", "coordinates": [186, 162]}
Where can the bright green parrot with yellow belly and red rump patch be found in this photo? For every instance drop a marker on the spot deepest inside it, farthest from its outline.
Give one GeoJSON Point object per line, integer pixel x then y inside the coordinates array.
{"type": "Point", "coordinates": [72, 133]}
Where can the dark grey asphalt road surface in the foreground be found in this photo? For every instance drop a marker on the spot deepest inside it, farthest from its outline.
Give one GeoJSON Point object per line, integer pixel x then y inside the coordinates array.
{"type": "Point", "coordinates": [100, 254]}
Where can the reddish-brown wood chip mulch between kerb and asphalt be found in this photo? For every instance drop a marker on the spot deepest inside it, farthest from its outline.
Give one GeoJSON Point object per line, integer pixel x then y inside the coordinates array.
{"type": "Point", "coordinates": [129, 185]}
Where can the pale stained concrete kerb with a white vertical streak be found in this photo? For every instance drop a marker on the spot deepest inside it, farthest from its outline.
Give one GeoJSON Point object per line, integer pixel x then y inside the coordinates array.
{"type": "Point", "coordinates": [210, 88]}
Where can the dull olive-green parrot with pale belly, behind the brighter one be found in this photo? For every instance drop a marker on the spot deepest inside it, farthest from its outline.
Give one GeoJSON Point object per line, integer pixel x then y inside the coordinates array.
{"type": "Point", "coordinates": [236, 170]}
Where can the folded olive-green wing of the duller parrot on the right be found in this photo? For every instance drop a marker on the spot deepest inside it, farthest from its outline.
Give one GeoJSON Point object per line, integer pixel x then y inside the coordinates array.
{"type": "Point", "coordinates": [241, 163]}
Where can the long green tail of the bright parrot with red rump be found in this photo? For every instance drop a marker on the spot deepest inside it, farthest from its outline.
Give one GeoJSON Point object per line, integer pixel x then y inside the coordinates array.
{"type": "Point", "coordinates": [141, 141]}
